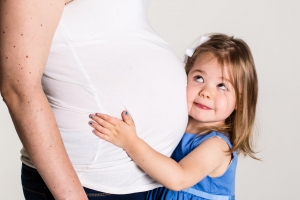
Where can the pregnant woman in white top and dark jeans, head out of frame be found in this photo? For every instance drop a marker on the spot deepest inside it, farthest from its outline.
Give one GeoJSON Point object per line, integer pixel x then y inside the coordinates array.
{"type": "Point", "coordinates": [61, 62]}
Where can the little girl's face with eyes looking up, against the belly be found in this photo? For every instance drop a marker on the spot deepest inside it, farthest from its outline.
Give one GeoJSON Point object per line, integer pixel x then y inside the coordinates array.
{"type": "Point", "coordinates": [210, 95]}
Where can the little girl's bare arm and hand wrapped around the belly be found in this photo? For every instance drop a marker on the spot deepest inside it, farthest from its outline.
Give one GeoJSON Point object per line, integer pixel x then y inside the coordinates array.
{"type": "Point", "coordinates": [204, 160]}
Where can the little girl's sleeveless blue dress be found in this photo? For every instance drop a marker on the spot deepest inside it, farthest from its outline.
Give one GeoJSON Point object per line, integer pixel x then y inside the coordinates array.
{"type": "Point", "coordinates": [213, 188]}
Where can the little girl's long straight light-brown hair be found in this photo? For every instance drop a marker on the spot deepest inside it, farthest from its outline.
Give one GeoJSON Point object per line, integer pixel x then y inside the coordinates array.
{"type": "Point", "coordinates": [236, 55]}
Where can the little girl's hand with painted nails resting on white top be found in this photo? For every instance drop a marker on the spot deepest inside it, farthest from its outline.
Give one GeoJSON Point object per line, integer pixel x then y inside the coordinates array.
{"type": "Point", "coordinates": [118, 132]}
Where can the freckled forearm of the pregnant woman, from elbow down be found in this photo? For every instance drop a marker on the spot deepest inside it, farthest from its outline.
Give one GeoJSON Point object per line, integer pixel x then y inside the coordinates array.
{"type": "Point", "coordinates": [37, 129]}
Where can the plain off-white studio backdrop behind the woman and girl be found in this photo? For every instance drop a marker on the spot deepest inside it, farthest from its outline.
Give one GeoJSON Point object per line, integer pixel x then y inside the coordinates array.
{"type": "Point", "coordinates": [272, 30]}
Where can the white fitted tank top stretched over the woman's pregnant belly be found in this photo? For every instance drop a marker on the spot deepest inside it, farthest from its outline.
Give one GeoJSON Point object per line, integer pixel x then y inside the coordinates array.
{"type": "Point", "coordinates": [106, 58]}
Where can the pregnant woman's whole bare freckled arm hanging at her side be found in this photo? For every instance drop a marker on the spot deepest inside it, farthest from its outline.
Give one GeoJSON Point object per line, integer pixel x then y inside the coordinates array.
{"type": "Point", "coordinates": [27, 28]}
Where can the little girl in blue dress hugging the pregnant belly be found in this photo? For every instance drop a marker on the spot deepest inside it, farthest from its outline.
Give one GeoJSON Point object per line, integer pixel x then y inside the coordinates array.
{"type": "Point", "coordinates": [221, 95]}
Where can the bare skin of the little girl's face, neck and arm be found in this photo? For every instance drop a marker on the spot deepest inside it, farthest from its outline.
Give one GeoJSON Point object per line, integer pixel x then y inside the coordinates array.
{"type": "Point", "coordinates": [211, 99]}
